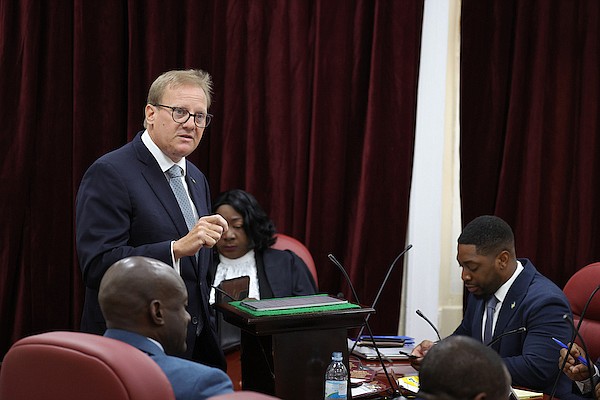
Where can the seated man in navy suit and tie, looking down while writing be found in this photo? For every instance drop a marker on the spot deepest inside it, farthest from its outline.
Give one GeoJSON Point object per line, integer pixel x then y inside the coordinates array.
{"type": "Point", "coordinates": [519, 297]}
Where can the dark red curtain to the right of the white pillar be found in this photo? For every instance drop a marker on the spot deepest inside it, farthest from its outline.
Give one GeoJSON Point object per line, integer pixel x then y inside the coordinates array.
{"type": "Point", "coordinates": [530, 119]}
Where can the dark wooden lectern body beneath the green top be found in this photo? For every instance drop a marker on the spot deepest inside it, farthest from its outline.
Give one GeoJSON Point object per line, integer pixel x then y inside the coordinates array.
{"type": "Point", "coordinates": [302, 345]}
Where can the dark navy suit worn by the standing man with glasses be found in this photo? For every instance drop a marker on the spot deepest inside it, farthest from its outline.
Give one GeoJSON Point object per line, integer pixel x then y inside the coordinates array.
{"type": "Point", "coordinates": [125, 207]}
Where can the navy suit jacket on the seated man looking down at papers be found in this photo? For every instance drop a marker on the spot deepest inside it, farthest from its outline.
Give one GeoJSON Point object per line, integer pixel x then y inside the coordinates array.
{"type": "Point", "coordinates": [536, 303]}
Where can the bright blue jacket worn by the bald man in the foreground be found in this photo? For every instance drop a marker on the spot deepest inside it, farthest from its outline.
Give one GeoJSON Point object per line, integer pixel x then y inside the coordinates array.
{"type": "Point", "coordinates": [190, 380]}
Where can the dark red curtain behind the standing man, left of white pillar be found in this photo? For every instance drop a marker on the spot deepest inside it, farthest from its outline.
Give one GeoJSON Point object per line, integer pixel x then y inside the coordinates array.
{"type": "Point", "coordinates": [314, 113]}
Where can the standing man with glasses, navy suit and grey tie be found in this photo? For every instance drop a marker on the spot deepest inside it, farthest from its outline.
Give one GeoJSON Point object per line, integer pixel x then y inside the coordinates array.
{"type": "Point", "coordinates": [146, 199]}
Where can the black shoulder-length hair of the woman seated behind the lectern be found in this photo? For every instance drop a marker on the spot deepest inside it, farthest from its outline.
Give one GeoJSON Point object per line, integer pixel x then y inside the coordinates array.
{"type": "Point", "coordinates": [258, 226]}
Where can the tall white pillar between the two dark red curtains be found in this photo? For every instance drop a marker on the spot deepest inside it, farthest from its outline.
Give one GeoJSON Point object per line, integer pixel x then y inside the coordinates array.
{"type": "Point", "coordinates": [431, 275]}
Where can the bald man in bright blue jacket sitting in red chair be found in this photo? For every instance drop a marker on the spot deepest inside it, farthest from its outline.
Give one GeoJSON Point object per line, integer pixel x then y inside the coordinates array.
{"type": "Point", "coordinates": [143, 301]}
